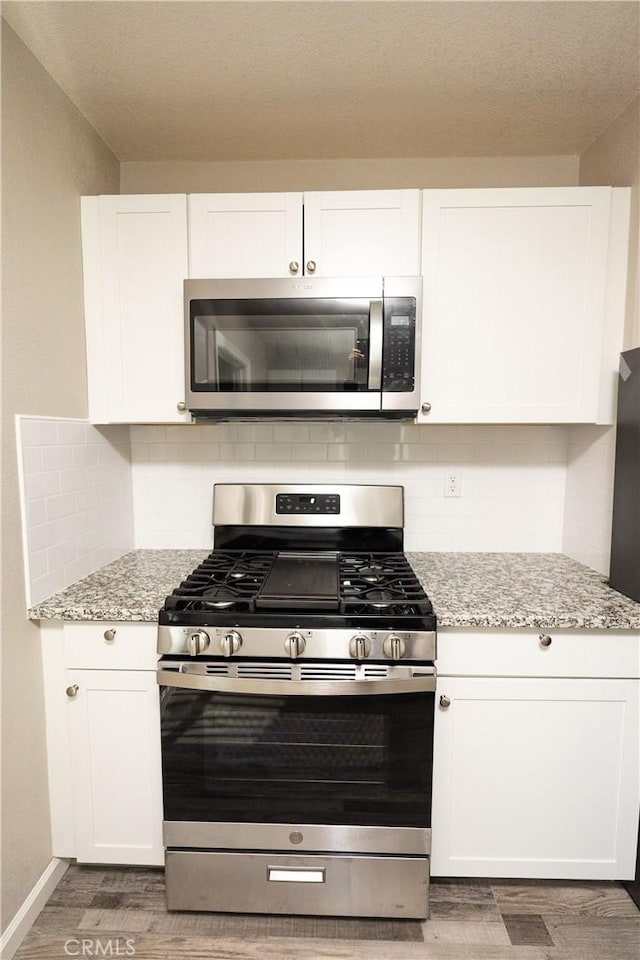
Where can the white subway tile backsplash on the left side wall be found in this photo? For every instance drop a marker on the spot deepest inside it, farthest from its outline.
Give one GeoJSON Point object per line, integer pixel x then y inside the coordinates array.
{"type": "Point", "coordinates": [76, 499]}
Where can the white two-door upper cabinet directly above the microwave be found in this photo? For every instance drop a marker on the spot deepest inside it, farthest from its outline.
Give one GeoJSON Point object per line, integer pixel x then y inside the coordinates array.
{"type": "Point", "coordinates": [359, 233]}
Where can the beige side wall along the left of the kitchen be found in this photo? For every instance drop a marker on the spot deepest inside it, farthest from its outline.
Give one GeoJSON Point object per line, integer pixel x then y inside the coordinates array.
{"type": "Point", "coordinates": [50, 156]}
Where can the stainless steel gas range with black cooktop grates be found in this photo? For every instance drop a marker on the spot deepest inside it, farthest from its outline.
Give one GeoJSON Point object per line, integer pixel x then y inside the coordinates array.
{"type": "Point", "coordinates": [297, 701]}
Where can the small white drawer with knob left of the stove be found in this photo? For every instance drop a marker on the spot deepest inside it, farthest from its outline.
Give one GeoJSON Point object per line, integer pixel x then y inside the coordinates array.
{"type": "Point", "coordinates": [90, 646]}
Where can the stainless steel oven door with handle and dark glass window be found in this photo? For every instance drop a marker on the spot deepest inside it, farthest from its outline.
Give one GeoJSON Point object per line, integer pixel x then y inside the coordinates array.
{"type": "Point", "coordinates": [327, 767]}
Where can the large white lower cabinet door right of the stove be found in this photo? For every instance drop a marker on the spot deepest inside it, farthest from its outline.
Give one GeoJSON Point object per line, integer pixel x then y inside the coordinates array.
{"type": "Point", "coordinates": [536, 778]}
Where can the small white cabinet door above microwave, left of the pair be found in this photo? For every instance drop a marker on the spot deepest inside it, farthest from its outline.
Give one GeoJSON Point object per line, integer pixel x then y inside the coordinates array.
{"type": "Point", "coordinates": [245, 235]}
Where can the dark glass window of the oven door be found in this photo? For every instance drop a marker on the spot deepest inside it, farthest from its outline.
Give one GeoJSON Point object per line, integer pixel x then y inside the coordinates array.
{"type": "Point", "coordinates": [361, 760]}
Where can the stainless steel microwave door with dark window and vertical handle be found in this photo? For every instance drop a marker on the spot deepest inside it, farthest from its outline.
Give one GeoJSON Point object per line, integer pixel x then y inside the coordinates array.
{"type": "Point", "coordinates": [267, 346]}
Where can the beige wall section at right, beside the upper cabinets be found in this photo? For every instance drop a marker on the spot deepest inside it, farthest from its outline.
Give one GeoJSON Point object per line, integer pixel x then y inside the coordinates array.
{"type": "Point", "coordinates": [614, 159]}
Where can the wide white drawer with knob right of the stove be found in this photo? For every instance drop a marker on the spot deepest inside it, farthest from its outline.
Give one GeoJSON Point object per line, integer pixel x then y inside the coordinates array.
{"type": "Point", "coordinates": [491, 652]}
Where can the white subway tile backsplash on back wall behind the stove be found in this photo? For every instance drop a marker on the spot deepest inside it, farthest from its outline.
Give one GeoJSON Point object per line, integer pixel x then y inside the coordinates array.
{"type": "Point", "coordinates": [512, 478]}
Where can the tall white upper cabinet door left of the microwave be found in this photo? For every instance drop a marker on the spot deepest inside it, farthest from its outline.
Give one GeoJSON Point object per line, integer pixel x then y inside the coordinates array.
{"type": "Point", "coordinates": [135, 262]}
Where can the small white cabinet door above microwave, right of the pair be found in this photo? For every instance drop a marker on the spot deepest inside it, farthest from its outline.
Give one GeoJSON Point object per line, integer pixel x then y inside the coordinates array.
{"type": "Point", "coordinates": [362, 233]}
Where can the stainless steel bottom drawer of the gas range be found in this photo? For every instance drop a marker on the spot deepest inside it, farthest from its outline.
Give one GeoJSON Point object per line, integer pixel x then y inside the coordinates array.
{"type": "Point", "coordinates": [349, 886]}
